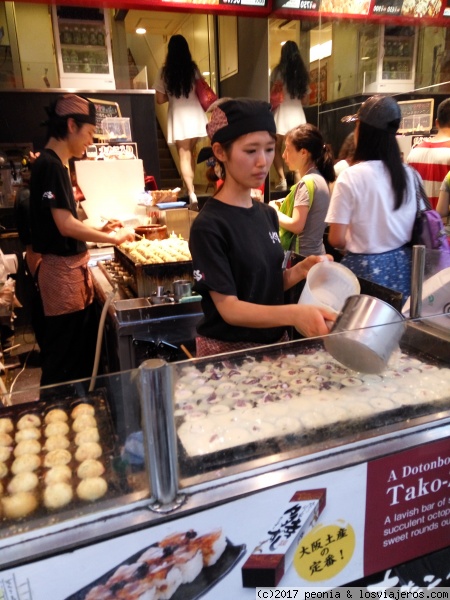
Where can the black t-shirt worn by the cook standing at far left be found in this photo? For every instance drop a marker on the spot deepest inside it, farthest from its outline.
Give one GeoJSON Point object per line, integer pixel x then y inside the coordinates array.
{"type": "Point", "coordinates": [50, 187]}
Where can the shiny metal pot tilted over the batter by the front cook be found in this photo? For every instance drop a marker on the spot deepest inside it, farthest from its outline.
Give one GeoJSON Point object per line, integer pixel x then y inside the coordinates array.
{"type": "Point", "coordinates": [369, 331]}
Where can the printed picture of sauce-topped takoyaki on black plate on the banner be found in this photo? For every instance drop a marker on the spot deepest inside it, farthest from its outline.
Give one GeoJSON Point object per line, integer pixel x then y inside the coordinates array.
{"type": "Point", "coordinates": [183, 566]}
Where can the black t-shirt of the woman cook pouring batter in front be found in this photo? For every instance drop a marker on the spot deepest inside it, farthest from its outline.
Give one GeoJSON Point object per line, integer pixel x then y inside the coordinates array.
{"type": "Point", "coordinates": [237, 251]}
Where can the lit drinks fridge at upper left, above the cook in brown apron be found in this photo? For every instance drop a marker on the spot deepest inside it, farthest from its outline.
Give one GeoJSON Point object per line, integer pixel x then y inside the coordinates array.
{"type": "Point", "coordinates": [83, 49]}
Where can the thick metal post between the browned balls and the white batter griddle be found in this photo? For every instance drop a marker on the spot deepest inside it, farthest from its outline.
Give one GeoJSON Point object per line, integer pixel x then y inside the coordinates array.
{"type": "Point", "coordinates": [158, 425]}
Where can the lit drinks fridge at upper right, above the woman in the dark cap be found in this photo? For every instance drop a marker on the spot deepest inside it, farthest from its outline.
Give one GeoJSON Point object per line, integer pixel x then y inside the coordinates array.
{"type": "Point", "coordinates": [387, 56]}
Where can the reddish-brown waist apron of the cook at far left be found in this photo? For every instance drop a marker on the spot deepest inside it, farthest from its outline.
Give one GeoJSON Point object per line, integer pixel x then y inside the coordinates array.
{"type": "Point", "coordinates": [65, 283]}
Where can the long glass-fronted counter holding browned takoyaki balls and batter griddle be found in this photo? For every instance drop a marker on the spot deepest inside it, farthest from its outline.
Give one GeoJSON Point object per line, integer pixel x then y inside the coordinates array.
{"type": "Point", "coordinates": [164, 429]}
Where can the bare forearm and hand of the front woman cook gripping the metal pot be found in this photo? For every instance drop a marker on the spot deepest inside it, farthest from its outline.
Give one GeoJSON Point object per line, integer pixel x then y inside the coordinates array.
{"type": "Point", "coordinates": [308, 320]}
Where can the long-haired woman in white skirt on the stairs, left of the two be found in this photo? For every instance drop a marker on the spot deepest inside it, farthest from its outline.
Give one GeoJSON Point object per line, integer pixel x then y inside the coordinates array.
{"type": "Point", "coordinates": [186, 119]}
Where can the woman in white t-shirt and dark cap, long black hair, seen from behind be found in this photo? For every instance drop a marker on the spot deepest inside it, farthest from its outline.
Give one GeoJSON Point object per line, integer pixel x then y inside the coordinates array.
{"type": "Point", "coordinates": [373, 204]}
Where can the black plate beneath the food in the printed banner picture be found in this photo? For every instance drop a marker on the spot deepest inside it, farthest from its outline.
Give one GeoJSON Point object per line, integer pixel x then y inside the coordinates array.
{"type": "Point", "coordinates": [207, 578]}
